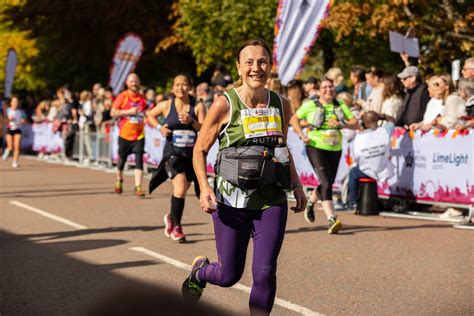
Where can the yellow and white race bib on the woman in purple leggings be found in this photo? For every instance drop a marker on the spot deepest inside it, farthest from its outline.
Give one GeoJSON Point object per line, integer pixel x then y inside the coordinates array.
{"type": "Point", "coordinates": [261, 122]}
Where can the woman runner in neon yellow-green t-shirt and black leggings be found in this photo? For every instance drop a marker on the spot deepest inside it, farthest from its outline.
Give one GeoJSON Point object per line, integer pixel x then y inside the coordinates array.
{"type": "Point", "coordinates": [326, 117]}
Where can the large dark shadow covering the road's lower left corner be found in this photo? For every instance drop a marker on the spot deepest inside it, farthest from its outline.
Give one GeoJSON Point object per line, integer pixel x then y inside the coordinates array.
{"type": "Point", "coordinates": [40, 279]}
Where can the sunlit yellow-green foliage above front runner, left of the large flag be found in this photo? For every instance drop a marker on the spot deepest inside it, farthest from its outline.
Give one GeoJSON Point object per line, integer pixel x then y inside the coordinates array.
{"type": "Point", "coordinates": [213, 30]}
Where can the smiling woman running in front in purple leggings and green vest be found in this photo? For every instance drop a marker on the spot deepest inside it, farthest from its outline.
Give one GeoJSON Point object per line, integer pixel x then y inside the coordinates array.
{"type": "Point", "coordinates": [247, 117]}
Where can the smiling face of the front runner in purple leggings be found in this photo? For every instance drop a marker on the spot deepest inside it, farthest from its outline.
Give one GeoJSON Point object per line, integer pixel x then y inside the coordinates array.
{"type": "Point", "coordinates": [254, 66]}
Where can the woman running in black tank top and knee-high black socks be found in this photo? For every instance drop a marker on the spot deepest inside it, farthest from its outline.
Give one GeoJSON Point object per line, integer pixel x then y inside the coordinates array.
{"type": "Point", "coordinates": [183, 121]}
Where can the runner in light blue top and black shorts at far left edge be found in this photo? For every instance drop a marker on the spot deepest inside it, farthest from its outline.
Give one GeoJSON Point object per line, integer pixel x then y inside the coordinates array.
{"type": "Point", "coordinates": [16, 117]}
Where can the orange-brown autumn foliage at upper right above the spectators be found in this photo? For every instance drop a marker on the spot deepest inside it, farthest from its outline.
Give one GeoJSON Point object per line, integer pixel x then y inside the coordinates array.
{"type": "Point", "coordinates": [360, 31]}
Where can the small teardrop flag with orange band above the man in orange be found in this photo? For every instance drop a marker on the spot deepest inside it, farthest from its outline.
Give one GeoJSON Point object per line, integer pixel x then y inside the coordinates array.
{"type": "Point", "coordinates": [127, 53]}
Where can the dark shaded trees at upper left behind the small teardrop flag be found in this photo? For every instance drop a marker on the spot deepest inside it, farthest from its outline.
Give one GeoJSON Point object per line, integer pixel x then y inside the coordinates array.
{"type": "Point", "coordinates": [76, 39]}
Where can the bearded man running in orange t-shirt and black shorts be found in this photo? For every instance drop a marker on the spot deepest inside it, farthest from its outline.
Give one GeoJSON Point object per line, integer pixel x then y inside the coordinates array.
{"type": "Point", "coordinates": [129, 107]}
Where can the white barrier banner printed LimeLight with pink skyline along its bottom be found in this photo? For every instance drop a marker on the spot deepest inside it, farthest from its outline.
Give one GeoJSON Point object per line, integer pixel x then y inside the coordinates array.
{"type": "Point", "coordinates": [432, 167]}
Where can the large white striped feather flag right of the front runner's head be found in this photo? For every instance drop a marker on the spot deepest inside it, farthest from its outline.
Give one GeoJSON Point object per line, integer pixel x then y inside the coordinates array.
{"type": "Point", "coordinates": [297, 26]}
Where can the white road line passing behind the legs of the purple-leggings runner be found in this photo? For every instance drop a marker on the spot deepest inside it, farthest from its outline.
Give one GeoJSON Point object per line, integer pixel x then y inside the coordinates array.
{"type": "Point", "coordinates": [278, 301]}
